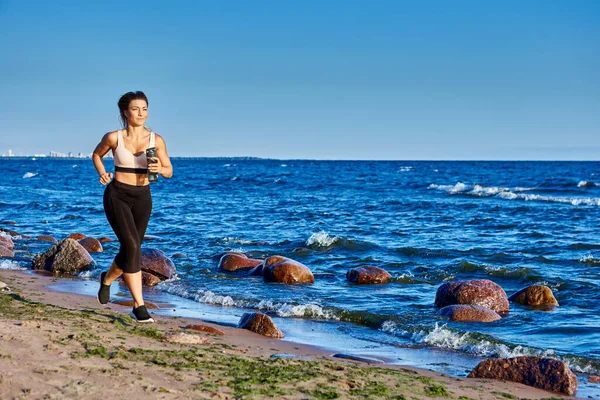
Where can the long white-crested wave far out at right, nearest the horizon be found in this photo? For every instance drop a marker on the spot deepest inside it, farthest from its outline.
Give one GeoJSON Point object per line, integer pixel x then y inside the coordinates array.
{"type": "Point", "coordinates": [512, 194]}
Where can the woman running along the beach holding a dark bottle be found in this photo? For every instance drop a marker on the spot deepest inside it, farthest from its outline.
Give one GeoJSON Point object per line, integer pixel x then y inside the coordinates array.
{"type": "Point", "coordinates": [127, 198]}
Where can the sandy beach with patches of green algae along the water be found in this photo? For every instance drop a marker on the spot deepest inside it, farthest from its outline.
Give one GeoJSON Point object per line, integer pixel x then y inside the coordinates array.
{"type": "Point", "coordinates": [65, 344]}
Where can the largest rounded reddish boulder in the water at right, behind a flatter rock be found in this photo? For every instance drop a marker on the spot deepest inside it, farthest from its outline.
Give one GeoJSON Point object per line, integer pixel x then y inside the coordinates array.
{"type": "Point", "coordinates": [481, 292]}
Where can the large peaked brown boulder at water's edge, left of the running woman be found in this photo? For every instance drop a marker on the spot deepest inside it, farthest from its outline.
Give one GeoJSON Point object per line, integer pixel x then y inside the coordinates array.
{"type": "Point", "coordinates": [66, 257]}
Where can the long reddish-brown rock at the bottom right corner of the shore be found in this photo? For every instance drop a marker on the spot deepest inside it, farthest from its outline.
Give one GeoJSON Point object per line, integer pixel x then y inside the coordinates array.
{"type": "Point", "coordinates": [544, 373]}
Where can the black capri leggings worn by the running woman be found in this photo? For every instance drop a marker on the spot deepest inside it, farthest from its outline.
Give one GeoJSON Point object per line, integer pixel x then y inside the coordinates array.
{"type": "Point", "coordinates": [128, 209]}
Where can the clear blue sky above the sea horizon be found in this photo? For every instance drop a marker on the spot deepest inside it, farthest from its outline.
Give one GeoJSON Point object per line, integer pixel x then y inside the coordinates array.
{"type": "Point", "coordinates": [308, 79]}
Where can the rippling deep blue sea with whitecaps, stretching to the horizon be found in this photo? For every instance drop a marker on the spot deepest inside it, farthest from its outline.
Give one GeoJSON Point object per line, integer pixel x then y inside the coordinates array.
{"type": "Point", "coordinates": [517, 223]}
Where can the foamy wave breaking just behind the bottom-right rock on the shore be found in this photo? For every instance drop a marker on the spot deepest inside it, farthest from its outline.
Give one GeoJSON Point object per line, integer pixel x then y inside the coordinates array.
{"type": "Point", "coordinates": [484, 346]}
